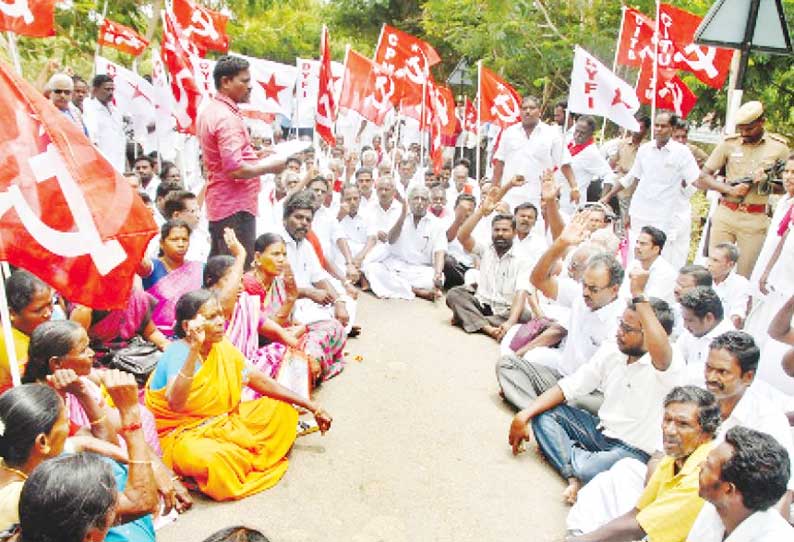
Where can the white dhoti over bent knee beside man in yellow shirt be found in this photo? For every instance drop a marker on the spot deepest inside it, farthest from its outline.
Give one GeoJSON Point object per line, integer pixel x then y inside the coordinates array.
{"type": "Point", "coordinates": [609, 495]}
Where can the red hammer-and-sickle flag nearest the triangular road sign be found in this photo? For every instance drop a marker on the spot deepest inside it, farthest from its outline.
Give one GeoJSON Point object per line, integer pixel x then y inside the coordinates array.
{"type": "Point", "coordinates": [678, 50]}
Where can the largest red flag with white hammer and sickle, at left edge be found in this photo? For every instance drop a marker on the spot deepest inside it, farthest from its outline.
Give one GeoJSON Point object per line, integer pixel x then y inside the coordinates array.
{"type": "Point", "coordinates": [56, 191]}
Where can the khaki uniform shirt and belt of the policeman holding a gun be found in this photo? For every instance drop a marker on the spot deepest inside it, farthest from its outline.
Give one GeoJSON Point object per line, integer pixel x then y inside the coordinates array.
{"type": "Point", "coordinates": [742, 160]}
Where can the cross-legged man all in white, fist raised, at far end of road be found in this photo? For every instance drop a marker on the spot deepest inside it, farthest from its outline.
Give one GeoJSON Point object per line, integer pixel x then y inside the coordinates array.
{"type": "Point", "coordinates": [417, 248]}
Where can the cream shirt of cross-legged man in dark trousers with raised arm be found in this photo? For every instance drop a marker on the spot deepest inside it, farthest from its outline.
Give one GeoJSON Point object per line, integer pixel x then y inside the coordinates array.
{"type": "Point", "coordinates": [500, 278]}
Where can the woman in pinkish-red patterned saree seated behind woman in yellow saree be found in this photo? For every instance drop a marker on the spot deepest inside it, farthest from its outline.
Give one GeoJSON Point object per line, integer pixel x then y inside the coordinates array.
{"type": "Point", "coordinates": [272, 283]}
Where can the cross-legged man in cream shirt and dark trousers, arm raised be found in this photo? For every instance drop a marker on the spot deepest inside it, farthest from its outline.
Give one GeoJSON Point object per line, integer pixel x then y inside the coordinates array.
{"type": "Point", "coordinates": [499, 299]}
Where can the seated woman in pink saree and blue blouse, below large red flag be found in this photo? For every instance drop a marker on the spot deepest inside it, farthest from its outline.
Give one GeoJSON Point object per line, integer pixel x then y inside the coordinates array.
{"type": "Point", "coordinates": [168, 277]}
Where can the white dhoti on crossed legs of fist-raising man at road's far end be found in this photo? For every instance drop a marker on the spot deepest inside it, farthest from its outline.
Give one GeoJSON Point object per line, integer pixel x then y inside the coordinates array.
{"type": "Point", "coordinates": [395, 278]}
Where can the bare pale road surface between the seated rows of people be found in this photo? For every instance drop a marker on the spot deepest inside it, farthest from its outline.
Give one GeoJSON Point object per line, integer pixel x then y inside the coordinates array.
{"type": "Point", "coordinates": [418, 450]}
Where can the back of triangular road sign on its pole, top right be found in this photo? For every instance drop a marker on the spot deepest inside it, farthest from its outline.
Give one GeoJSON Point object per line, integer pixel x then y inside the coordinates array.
{"type": "Point", "coordinates": [757, 25]}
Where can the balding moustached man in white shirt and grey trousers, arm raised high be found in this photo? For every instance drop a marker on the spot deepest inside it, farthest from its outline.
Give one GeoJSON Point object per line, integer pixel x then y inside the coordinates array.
{"type": "Point", "coordinates": [594, 315]}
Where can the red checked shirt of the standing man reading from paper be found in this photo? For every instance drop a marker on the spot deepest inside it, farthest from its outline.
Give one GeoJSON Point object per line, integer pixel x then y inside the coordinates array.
{"type": "Point", "coordinates": [226, 146]}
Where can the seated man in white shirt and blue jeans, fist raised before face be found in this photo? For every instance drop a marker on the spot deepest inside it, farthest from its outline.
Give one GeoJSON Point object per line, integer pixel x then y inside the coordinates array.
{"type": "Point", "coordinates": [635, 373]}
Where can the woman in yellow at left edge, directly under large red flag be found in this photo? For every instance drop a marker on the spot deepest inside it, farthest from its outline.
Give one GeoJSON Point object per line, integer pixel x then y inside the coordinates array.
{"type": "Point", "coordinates": [29, 305]}
